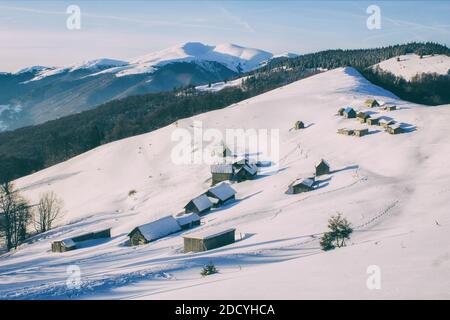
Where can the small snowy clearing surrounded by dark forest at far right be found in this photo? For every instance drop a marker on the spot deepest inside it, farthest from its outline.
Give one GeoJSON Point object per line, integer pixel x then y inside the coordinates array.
{"type": "Point", "coordinates": [411, 64]}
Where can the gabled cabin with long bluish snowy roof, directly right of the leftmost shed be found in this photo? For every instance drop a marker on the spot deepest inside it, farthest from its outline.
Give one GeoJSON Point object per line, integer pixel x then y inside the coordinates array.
{"type": "Point", "coordinates": [153, 231]}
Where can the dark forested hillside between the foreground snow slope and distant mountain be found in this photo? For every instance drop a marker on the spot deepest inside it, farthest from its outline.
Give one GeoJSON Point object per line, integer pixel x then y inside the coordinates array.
{"type": "Point", "coordinates": [33, 148]}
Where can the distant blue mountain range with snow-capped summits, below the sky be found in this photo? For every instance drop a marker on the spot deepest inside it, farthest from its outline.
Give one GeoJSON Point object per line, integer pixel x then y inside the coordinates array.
{"type": "Point", "coordinates": [38, 94]}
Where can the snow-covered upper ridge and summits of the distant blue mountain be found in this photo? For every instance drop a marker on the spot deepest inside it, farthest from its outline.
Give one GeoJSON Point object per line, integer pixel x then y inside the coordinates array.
{"type": "Point", "coordinates": [234, 57]}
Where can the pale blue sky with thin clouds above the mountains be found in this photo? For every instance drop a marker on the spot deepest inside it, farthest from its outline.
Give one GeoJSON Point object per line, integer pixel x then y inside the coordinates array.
{"type": "Point", "coordinates": [35, 32]}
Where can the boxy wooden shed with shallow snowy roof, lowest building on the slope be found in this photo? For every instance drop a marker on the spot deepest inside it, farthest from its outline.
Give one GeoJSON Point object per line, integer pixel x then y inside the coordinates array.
{"type": "Point", "coordinates": [208, 240]}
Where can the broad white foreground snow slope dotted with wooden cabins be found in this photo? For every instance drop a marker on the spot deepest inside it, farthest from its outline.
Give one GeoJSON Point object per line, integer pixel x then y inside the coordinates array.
{"type": "Point", "coordinates": [393, 189]}
